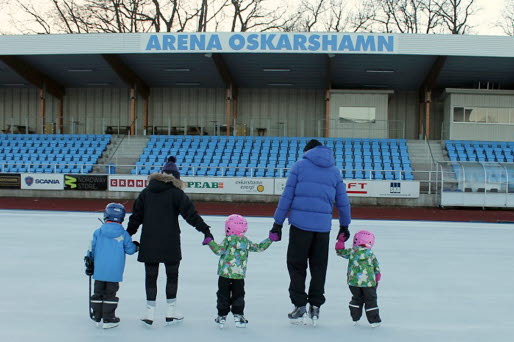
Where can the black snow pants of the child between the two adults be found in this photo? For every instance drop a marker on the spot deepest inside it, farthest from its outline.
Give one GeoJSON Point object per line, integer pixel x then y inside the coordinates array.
{"type": "Point", "coordinates": [231, 296]}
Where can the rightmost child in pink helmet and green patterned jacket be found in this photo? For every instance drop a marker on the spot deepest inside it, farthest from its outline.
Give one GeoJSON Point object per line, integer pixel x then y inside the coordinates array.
{"type": "Point", "coordinates": [363, 276]}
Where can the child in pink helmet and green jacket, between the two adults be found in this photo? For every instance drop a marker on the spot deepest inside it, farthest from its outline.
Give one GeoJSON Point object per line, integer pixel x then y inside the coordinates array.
{"type": "Point", "coordinates": [233, 252]}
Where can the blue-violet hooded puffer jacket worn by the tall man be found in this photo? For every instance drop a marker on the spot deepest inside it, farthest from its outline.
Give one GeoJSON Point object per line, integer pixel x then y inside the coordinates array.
{"type": "Point", "coordinates": [314, 183]}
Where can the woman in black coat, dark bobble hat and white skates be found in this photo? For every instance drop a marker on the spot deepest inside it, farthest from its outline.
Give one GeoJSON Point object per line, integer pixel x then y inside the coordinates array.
{"type": "Point", "coordinates": [157, 207]}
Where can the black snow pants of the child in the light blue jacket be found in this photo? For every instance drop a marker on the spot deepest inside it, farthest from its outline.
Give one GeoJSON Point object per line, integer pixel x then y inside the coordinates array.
{"type": "Point", "coordinates": [104, 301]}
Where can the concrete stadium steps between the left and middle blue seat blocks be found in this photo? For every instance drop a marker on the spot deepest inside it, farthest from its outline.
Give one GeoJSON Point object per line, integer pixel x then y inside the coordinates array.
{"type": "Point", "coordinates": [128, 152]}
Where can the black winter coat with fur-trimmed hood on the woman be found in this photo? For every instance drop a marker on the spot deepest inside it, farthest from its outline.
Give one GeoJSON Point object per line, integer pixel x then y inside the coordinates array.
{"type": "Point", "coordinates": [157, 207]}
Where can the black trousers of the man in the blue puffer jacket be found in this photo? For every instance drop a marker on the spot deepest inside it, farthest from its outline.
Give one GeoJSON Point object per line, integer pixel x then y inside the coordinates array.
{"type": "Point", "coordinates": [307, 248]}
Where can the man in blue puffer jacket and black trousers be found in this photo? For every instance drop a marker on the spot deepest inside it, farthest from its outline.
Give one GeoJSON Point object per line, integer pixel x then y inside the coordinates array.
{"type": "Point", "coordinates": [313, 185]}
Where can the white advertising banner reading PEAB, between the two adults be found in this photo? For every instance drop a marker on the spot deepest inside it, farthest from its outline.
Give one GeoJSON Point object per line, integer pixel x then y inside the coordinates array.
{"type": "Point", "coordinates": [241, 186]}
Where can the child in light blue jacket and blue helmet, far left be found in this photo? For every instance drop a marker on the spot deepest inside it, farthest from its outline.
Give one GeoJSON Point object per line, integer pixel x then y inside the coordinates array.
{"type": "Point", "coordinates": [109, 245]}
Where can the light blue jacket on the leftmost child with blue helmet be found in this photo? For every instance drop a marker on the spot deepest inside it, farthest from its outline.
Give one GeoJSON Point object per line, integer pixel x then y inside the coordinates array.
{"type": "Point", "coordinates": [110, 244]}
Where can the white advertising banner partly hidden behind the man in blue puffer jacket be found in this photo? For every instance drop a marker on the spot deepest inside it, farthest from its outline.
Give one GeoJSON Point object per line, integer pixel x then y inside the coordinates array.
{"type": "Point", "coordinates": [370, 188]}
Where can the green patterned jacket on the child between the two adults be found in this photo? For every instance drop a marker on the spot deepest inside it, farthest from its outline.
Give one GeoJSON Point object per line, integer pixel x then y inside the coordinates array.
{"type": "Point", "coordinates": [233, 252]}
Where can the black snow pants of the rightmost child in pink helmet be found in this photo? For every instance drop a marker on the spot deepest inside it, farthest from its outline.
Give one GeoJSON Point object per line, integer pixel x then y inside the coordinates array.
{"type": "Point", "coordinates": [364, 296]}
